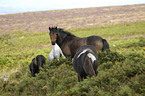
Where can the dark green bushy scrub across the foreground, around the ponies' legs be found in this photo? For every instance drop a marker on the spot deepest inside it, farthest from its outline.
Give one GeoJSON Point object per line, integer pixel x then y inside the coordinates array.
{"type": "Point", "coordinates": [59, 78]}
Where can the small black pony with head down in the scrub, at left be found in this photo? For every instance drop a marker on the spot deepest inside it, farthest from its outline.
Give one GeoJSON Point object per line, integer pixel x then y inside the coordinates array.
{"type": "Point", "coordinates": [36, 64]}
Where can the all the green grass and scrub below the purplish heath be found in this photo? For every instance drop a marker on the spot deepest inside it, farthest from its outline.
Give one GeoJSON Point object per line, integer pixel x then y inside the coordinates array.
{"type": "Point", "coordinates": [121, 72]}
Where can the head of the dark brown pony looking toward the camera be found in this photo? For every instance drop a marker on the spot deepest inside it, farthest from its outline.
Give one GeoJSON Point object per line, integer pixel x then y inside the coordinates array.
{"type": "Point", "coordinates": [53, 34]}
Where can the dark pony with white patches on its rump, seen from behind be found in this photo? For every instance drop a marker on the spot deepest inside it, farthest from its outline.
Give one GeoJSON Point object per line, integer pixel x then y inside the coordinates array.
{"type": "Point", "coordinates": [85, 62]}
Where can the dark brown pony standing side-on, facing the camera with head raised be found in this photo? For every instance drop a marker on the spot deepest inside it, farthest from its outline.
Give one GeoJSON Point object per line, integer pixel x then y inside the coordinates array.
{"type": "Point", "coordinates": [69, 43]}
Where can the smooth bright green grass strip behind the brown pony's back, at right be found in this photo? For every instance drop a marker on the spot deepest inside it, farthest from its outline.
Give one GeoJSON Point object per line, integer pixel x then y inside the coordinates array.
{"type": "Point", "coordinates": [113, 31]}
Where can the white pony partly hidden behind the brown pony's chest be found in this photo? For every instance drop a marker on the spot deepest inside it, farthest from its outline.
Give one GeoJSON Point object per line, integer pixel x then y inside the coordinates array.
{"type": "Point", "coordinates": [55, 53]}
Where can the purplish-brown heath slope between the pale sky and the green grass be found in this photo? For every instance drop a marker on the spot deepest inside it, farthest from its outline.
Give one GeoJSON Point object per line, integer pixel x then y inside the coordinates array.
{"type": "Point", "coordinates": [75, 18]}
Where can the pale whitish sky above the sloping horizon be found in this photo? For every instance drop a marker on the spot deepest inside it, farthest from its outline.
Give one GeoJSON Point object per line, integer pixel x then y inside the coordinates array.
{"type": "Point", "coordinates": [38, 5]}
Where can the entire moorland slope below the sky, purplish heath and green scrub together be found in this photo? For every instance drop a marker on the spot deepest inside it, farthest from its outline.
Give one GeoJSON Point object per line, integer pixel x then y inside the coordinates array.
{"type": "Point", "coordinates": [121, 70]}
